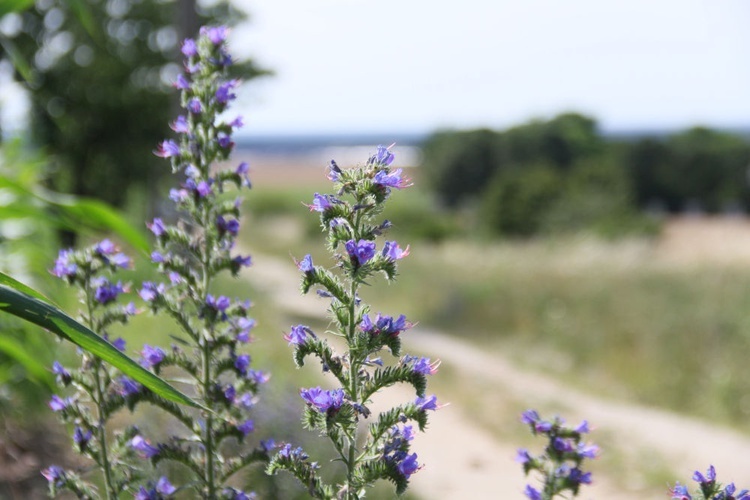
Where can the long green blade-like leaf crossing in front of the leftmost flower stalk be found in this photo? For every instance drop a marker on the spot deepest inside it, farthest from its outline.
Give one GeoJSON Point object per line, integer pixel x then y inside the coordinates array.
{"type": "Point", "coordinates": [36, 310]}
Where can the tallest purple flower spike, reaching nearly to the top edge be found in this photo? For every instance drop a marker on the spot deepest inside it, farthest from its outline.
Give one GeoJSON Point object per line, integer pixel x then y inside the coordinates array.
{"type": "Point", "coordinates": [191, 254]}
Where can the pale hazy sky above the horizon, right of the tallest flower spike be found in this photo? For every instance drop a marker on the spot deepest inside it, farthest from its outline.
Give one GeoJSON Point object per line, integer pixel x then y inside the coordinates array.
{"type": "Point", "coordinates": [416, 65]}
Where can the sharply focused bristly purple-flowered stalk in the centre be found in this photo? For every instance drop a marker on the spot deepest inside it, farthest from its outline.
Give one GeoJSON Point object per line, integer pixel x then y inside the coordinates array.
{"type": "Point", "coordinates": [381, 450]}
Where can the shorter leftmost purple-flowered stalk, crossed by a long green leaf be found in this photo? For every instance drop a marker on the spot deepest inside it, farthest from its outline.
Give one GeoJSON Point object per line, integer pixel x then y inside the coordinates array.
{"type": "Point", "coordinates": [98, 390]}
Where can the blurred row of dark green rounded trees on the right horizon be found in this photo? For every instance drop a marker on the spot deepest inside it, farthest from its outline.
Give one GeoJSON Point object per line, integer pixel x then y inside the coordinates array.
{"type": "Point", "coordinates": [564, 174]}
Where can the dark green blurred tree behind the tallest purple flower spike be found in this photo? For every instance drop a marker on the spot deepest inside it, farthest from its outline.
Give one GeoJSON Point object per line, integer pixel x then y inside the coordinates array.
{"type": "Point", "coordinates": [99, 73]}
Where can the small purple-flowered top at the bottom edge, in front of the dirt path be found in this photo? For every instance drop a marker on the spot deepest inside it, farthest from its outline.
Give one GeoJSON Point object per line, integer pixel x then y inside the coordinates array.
{"type": "Point", "coordinates": [560, 466]}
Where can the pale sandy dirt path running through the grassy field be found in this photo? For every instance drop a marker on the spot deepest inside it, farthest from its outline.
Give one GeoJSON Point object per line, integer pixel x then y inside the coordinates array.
{"type": "Point", "coordinates": [465, 461]}
